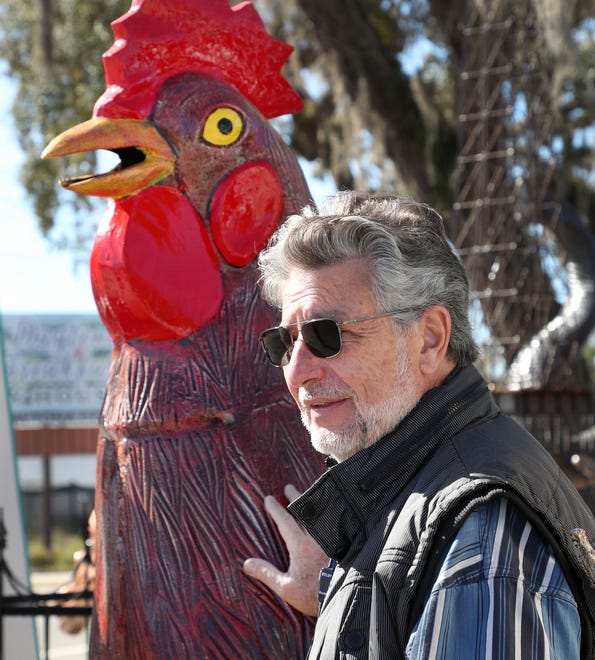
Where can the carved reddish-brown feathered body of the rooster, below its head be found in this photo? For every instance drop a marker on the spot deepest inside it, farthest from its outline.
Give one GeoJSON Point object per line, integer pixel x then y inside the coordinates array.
{"type": "Point", "coordinates": [190, 445]}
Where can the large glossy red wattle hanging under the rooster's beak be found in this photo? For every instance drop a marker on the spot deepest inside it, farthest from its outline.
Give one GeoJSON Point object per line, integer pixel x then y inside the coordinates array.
{"type": "Point", "coordinates": [154, 270]}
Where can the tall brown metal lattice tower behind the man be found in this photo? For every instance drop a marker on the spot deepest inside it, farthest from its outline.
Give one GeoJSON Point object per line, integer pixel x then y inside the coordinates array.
{"type": "Point", "coordinates": [505, 126]}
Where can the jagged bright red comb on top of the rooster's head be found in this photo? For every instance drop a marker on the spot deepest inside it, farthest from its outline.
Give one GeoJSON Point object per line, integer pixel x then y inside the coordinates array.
{"type": "Point", "coordinates": [158, 39]}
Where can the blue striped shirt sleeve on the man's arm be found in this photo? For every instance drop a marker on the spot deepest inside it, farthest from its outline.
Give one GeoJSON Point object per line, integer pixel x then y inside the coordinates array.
{"type": "Point", "coordinates": [499, 593]}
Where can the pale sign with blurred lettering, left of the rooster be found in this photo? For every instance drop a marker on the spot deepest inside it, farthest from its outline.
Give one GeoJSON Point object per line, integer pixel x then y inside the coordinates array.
{"type": "Point", "coordinates": [57, 367]}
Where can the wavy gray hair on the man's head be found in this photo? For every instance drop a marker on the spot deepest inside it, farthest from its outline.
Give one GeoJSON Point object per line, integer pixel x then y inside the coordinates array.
{"type": "Point", "coordinates": [412, 264]}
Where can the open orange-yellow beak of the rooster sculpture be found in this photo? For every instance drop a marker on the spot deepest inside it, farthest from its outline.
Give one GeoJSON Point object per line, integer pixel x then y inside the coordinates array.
{"type": "Point", "coordinates": [145, 156]}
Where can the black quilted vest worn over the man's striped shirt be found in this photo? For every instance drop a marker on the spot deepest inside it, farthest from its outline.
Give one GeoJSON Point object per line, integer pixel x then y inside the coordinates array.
{"type": "Point", "coordinates": [388, 512]}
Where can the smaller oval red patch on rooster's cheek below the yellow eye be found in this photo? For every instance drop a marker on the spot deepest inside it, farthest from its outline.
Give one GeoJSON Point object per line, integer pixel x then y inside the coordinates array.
{"type": "Point", "coordinates": [245, 210]}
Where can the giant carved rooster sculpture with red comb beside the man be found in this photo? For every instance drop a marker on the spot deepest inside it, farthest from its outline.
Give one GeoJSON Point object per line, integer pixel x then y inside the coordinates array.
{"type": "Point", "coordinates": [195, 429]}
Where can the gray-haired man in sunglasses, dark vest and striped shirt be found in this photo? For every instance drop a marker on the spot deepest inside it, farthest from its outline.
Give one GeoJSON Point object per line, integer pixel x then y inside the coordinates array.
{"type": "Point", "coordinates": [451, 531]}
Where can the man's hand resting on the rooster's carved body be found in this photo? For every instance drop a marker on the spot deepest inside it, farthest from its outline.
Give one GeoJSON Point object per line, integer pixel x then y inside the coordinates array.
{"type": "Point", "coordinates": [299, 585]}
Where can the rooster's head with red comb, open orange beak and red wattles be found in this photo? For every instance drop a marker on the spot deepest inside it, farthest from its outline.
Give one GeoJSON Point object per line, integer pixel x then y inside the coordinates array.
{"type": "Point", "coordinates": [203, 178]}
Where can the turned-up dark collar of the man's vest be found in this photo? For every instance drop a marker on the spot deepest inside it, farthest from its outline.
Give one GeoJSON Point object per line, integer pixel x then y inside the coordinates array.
{"type": "Point", "coordinates": [336, 508]}
